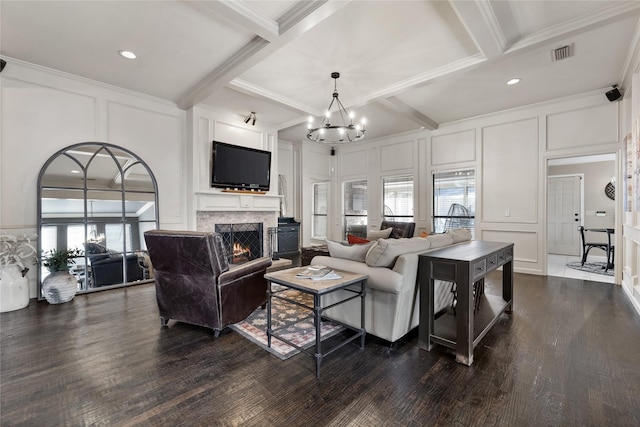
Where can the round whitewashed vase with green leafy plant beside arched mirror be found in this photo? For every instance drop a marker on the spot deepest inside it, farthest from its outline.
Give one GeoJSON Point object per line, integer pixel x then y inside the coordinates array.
{"type": "Point", "coordinates": [60, 286]}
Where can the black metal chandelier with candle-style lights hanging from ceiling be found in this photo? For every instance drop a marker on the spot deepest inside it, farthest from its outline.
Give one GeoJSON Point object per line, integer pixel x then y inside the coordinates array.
{"type": "Point", "coordinates": [342, 129]}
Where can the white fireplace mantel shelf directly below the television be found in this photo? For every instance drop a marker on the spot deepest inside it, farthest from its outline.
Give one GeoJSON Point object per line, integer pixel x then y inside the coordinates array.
{"type": "Point", "coordinates": [217, 201]}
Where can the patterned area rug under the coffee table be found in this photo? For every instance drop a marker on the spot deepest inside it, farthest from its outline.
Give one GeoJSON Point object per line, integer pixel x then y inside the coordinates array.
{"type": "Point", "coordinates": [299, 330]}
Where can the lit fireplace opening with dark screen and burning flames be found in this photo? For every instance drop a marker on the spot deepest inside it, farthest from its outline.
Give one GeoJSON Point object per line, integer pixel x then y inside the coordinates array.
{"type": "Point", "coordinates": [242, 242]}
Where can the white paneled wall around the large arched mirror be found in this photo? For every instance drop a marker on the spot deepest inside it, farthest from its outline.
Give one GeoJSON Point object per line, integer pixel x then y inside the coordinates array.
{"type": "Point", "coordinates": [44, 111]}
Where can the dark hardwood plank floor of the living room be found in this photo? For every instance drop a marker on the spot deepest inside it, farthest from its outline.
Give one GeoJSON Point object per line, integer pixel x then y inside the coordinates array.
{"type": "Point", "coordinates": [568, 356]}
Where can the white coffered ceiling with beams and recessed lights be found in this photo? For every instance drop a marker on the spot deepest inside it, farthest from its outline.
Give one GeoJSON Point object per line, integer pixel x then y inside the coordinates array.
{"type": "Point", "coordinates": [404, 65]}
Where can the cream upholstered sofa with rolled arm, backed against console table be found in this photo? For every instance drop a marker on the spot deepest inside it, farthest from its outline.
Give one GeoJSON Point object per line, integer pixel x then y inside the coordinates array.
{"type": "Point", "coordinates": [392, 301]}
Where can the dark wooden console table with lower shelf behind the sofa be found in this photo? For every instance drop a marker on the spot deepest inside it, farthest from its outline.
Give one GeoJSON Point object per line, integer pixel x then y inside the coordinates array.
{"type": "Point", "coordinates": [464, 264]}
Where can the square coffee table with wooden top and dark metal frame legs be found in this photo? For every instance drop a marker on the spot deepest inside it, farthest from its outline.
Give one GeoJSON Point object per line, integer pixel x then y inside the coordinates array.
{"type": "Point", "coordinates": [352, 282]}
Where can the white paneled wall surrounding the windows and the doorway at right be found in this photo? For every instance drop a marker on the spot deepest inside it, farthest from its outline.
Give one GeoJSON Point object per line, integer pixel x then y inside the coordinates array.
{"type": "Point", "coordinates": [508, 151]}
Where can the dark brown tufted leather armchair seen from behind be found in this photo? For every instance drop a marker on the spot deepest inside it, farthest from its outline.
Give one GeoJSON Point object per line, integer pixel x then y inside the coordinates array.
{"type": "Point", "coordinates": [194, 283]}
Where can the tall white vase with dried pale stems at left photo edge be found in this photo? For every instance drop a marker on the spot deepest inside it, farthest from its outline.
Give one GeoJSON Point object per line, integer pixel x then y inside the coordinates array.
{"type": "Point", "coordinates": [16, 253]}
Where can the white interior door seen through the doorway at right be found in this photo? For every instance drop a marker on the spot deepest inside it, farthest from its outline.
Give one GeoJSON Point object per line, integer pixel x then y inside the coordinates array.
{"type": "Point", "coordinates": [563, 215]}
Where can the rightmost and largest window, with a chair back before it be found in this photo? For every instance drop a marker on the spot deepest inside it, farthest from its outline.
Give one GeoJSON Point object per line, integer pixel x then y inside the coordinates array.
{"type": "Point", "coordinates": [454, 200]}
